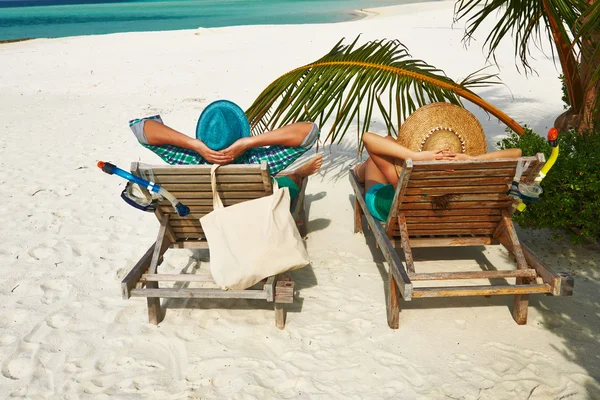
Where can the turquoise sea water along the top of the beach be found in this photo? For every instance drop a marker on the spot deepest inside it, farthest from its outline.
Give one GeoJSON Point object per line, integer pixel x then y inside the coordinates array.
{"type": "Point", "coordinates": [59, 18]}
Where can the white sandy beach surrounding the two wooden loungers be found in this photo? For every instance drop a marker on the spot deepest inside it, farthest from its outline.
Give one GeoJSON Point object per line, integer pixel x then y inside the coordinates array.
{"type": "Point", "coordinates": [67, 239]}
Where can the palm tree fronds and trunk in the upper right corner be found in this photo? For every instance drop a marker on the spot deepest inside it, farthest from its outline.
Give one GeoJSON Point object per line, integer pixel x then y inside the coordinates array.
{"type": "Point", "coordinates": [573, 26]}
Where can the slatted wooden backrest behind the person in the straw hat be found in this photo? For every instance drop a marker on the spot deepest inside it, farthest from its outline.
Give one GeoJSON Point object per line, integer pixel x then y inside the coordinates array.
{"type": "Point", "coordinates": [440, 198]}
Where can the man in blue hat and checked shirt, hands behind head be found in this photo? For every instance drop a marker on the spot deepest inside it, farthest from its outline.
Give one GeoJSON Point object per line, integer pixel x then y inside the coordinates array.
{"type": "Point", "coordinates": [223, 137]}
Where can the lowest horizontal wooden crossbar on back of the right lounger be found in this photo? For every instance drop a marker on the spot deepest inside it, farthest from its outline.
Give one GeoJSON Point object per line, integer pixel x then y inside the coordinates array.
{"type": "Point", "coordinates": [459, 291]}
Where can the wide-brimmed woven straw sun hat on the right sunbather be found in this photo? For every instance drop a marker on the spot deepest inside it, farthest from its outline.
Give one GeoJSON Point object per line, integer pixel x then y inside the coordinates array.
{"type": "Point", "coordinates": [440, 126]}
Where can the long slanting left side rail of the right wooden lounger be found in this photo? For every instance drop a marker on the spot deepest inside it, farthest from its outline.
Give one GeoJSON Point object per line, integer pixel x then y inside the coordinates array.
{"type": "Point", "coordinates": [388, 251]}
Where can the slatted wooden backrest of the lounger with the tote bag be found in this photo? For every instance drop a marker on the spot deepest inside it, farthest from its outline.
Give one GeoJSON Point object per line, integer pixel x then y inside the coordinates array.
{"type": "Point", "coordinates": [190, 184]}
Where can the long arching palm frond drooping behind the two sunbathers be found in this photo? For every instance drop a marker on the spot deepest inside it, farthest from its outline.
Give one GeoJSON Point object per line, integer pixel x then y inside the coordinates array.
{"type": "Point", "coordinates": [350, 81]}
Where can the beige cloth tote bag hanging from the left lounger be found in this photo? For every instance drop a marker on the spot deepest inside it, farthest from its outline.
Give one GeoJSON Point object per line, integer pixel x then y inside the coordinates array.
{"type": "Point", "coordinates": [252, 240]}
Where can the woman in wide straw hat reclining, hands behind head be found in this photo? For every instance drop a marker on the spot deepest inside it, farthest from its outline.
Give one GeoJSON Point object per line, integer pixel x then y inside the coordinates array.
{"type": "Point", "coordinates": [437, 131]}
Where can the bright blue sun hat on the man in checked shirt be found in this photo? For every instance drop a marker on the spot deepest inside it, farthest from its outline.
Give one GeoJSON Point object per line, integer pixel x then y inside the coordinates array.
{"type": "Point", "coordinates": [221, 123]}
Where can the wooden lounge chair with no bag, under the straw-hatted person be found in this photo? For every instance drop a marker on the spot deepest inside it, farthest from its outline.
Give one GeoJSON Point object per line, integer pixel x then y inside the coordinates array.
{"type": "Point", "coordinates": [477, 212]}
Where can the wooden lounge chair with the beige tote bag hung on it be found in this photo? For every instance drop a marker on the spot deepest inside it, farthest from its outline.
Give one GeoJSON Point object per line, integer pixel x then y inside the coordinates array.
{"type": "Point", "coordinates": [191, 185]}
